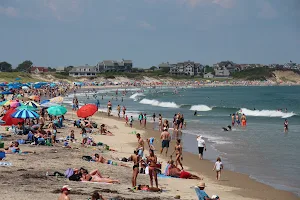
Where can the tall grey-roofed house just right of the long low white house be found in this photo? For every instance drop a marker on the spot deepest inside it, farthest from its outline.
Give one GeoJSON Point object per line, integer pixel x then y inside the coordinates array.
{"type": "Point", "coordinates": [114, 66]}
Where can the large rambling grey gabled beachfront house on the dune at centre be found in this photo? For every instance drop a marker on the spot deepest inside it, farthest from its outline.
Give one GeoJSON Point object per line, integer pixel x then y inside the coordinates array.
{"type": "Point", "coordinates": [189, 68]}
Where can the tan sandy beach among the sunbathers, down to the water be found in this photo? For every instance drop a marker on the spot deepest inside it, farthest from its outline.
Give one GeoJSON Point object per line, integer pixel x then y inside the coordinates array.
{"type": "Point", "coordinates": [26, 178]}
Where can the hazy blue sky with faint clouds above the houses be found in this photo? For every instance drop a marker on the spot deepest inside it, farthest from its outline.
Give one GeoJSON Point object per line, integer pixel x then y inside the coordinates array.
{"type": "Point", "coordinates": [59, 33]}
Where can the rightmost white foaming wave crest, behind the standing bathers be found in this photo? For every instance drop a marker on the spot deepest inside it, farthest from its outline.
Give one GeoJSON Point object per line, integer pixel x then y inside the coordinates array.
{"type": "Point", "coordinates": [266, 113]}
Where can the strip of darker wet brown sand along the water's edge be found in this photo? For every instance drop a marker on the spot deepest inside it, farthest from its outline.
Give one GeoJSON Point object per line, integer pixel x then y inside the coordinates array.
{"type": "Point", "coordinates": [242, 184]}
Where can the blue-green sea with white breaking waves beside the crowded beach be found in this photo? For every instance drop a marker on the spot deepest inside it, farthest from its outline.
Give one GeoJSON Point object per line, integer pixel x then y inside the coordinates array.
{"type": "Point", "coordinates": [261, 150]}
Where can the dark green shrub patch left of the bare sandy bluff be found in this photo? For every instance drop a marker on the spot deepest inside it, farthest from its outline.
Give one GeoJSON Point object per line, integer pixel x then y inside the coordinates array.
{"type": "Point", "coordinates": [260, 73]}
